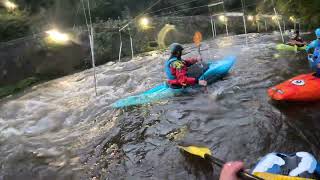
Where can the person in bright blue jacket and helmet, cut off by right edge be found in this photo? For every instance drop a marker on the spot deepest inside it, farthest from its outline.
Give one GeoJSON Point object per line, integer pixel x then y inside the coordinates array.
{"type": "Point", "coordinates": [316, 46]}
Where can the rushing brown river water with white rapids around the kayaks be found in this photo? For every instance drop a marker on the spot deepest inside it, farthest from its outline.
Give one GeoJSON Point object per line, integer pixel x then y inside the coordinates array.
{"type": "Point", "coordinates": [61, 130]}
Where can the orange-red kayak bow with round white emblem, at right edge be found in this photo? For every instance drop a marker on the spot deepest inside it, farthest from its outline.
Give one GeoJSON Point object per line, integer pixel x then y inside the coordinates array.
{"type": "Point", "coordinates": [305, 87]}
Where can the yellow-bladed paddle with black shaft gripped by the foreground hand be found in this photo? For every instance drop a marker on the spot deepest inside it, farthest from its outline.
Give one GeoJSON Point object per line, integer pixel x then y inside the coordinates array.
{"type": "Point", "coordinates": [205, 153]}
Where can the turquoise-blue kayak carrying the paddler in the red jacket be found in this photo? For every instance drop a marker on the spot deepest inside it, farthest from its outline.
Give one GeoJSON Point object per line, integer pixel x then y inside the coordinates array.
{"type": "Point", "coordinates": [217, 70]}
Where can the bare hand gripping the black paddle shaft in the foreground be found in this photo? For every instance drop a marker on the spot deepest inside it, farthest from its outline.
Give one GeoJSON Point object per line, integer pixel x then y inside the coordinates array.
{"type": "Point", "coordinates": [230, 170]}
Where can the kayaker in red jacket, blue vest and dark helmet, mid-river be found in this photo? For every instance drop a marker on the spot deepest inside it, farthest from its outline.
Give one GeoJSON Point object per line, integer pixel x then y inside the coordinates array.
{"type": "Point", "coordinates": [176, 69]}
